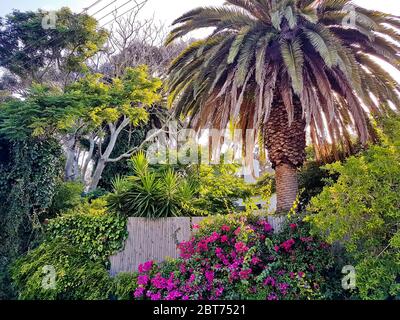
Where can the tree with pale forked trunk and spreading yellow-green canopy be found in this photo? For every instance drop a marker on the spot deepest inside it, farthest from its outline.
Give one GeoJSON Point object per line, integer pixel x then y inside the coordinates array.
{"type": "Point", "coordinates": [95, 108]}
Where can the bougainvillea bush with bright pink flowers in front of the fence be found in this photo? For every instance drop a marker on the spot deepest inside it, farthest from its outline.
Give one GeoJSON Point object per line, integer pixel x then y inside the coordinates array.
{"type": "Point", "coordinates": [240, 257]}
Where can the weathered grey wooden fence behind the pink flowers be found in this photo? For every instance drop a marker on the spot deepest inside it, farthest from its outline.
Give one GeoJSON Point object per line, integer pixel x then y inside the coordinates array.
{"type": "Point", "coordinates": [157, 240]}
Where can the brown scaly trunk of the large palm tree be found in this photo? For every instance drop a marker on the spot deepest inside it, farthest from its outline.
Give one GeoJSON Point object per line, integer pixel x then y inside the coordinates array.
{"type": "Point", "coordinates": [286, 150]}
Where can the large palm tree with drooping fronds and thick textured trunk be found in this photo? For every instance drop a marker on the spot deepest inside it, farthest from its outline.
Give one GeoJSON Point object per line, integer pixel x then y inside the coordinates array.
{"type": "Point", "coordinates": [288, 69]}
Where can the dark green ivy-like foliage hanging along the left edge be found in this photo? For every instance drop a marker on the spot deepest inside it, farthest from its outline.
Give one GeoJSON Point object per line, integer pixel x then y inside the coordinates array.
{"type": "Point", "coordinates": [29, 171]}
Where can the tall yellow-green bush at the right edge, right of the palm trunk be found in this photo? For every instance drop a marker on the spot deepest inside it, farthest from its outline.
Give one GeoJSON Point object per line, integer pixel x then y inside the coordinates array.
{"type": "Point", "coordinates": [362, 211]}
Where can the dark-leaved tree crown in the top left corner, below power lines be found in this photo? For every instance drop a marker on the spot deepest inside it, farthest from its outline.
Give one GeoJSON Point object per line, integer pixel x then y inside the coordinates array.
{"type": "Point", "coordinates": [32, 53]}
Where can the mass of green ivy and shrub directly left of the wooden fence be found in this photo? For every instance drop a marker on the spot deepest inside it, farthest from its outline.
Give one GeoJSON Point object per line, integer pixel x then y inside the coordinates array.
{"type": "Point", "coordinates": [78, 245]}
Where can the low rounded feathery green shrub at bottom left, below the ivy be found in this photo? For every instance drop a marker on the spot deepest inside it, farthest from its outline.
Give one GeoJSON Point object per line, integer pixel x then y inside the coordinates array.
{"type": "Point", "coordinates": [76, 277]}
